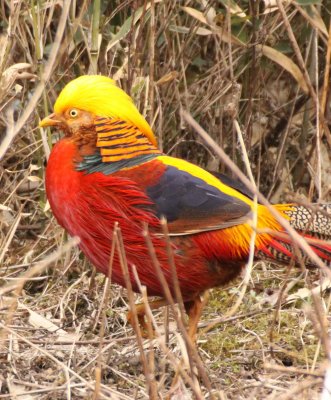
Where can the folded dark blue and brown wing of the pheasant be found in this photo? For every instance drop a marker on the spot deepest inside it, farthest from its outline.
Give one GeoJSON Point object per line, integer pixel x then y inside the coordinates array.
{"type": "Point", "coordinates": [191, 205]}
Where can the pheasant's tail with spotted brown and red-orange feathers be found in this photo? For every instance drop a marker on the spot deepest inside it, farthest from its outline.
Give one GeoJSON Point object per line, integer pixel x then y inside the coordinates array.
{"type": "Point", "coordinates": [313, 223]}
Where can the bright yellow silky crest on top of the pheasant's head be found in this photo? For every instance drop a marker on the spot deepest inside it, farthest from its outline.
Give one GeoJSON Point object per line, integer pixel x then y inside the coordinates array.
{"type": "Point", "coordinates": [101, 96]}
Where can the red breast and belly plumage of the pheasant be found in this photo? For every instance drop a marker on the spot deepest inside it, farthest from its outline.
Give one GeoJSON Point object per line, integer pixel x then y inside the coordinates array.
{"type": "Point", "coordinates": [88, 206]}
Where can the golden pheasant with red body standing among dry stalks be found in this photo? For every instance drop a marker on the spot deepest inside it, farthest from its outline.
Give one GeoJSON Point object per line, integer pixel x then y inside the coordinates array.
{"type": "Point", "coordinates": [108, 169]}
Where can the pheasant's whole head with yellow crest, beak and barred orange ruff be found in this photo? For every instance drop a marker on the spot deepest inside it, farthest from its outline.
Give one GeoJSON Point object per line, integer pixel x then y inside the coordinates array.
{"type": "Point", "coordinates": [94, 111]}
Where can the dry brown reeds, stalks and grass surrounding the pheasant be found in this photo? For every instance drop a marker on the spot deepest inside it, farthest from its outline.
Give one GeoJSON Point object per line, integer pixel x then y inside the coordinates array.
{"type": "Point", "coordinates": [264, 64]}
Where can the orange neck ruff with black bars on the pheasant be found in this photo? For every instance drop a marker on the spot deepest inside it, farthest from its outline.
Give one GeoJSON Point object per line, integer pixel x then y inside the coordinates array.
{"type": "Point", "coordinates": [119, 141]}
